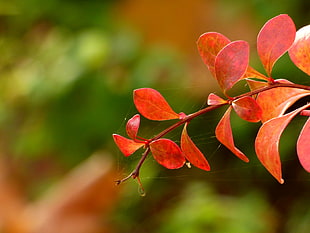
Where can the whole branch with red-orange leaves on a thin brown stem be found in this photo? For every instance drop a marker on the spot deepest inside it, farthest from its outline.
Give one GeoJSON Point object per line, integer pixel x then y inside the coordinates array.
{"type": "Point", "coordinates": [267, 101]}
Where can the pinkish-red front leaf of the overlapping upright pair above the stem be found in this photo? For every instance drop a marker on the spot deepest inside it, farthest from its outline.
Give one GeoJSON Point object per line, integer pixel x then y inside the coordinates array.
{"type": "Point", "coordinates": [231, 63]}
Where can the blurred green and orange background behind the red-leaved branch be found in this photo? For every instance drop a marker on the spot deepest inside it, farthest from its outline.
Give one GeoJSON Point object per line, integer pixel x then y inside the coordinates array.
{"type": "Point", "coordinates": [67, 71]}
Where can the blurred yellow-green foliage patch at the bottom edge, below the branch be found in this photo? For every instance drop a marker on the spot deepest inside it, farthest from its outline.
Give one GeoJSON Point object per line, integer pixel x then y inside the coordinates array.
{"type": "Point", "coordinates": [198, 213]}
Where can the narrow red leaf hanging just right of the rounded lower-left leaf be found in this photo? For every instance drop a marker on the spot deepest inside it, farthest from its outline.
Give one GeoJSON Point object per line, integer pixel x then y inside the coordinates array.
{"type": "Point", "coordinates": [192, 153]}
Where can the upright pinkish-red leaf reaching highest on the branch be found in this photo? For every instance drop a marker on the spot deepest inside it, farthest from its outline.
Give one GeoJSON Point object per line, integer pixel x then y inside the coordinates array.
{"type": "Point", "coordinates": [274, 39]}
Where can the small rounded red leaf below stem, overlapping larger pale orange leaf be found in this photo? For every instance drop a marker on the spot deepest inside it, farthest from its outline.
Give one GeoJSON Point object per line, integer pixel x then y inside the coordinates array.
{"type": "Point", "coordinates": [247, 108]}
